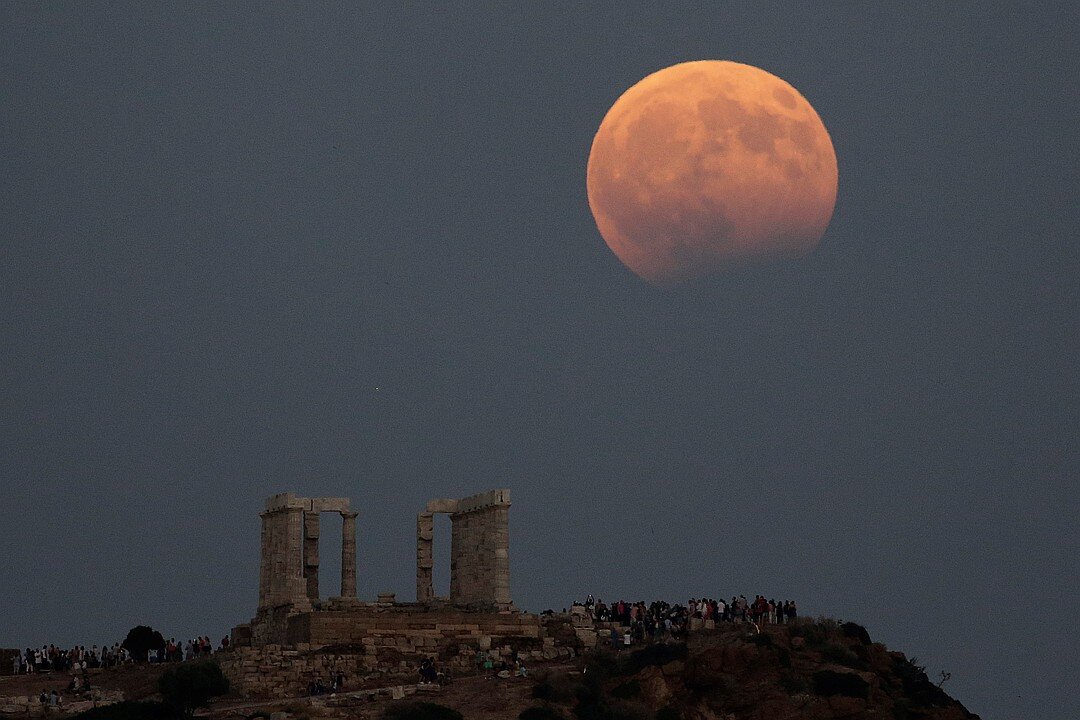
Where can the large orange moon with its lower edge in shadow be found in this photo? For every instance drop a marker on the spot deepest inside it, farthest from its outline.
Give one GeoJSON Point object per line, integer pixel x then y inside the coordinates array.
{"type": "Point", "coordinates": [710, 165]}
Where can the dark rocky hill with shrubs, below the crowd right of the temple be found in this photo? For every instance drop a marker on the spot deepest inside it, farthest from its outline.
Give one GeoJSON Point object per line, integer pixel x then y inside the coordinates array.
{"type": "Point", "coordinates": [819, 671]}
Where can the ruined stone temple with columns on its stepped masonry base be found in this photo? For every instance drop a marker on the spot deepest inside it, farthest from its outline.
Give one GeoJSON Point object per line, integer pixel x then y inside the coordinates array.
{"type": "Point", "coordinates": [298, 637]}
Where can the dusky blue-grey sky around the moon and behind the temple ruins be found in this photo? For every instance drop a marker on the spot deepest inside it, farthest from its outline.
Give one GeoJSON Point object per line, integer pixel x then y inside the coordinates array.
{"type": "Point", "coordinates": [346, 251]}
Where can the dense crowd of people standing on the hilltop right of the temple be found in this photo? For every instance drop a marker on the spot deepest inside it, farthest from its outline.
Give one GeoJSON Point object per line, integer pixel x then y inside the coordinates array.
{"type": "Point", "coordinates": [659, 620]}
